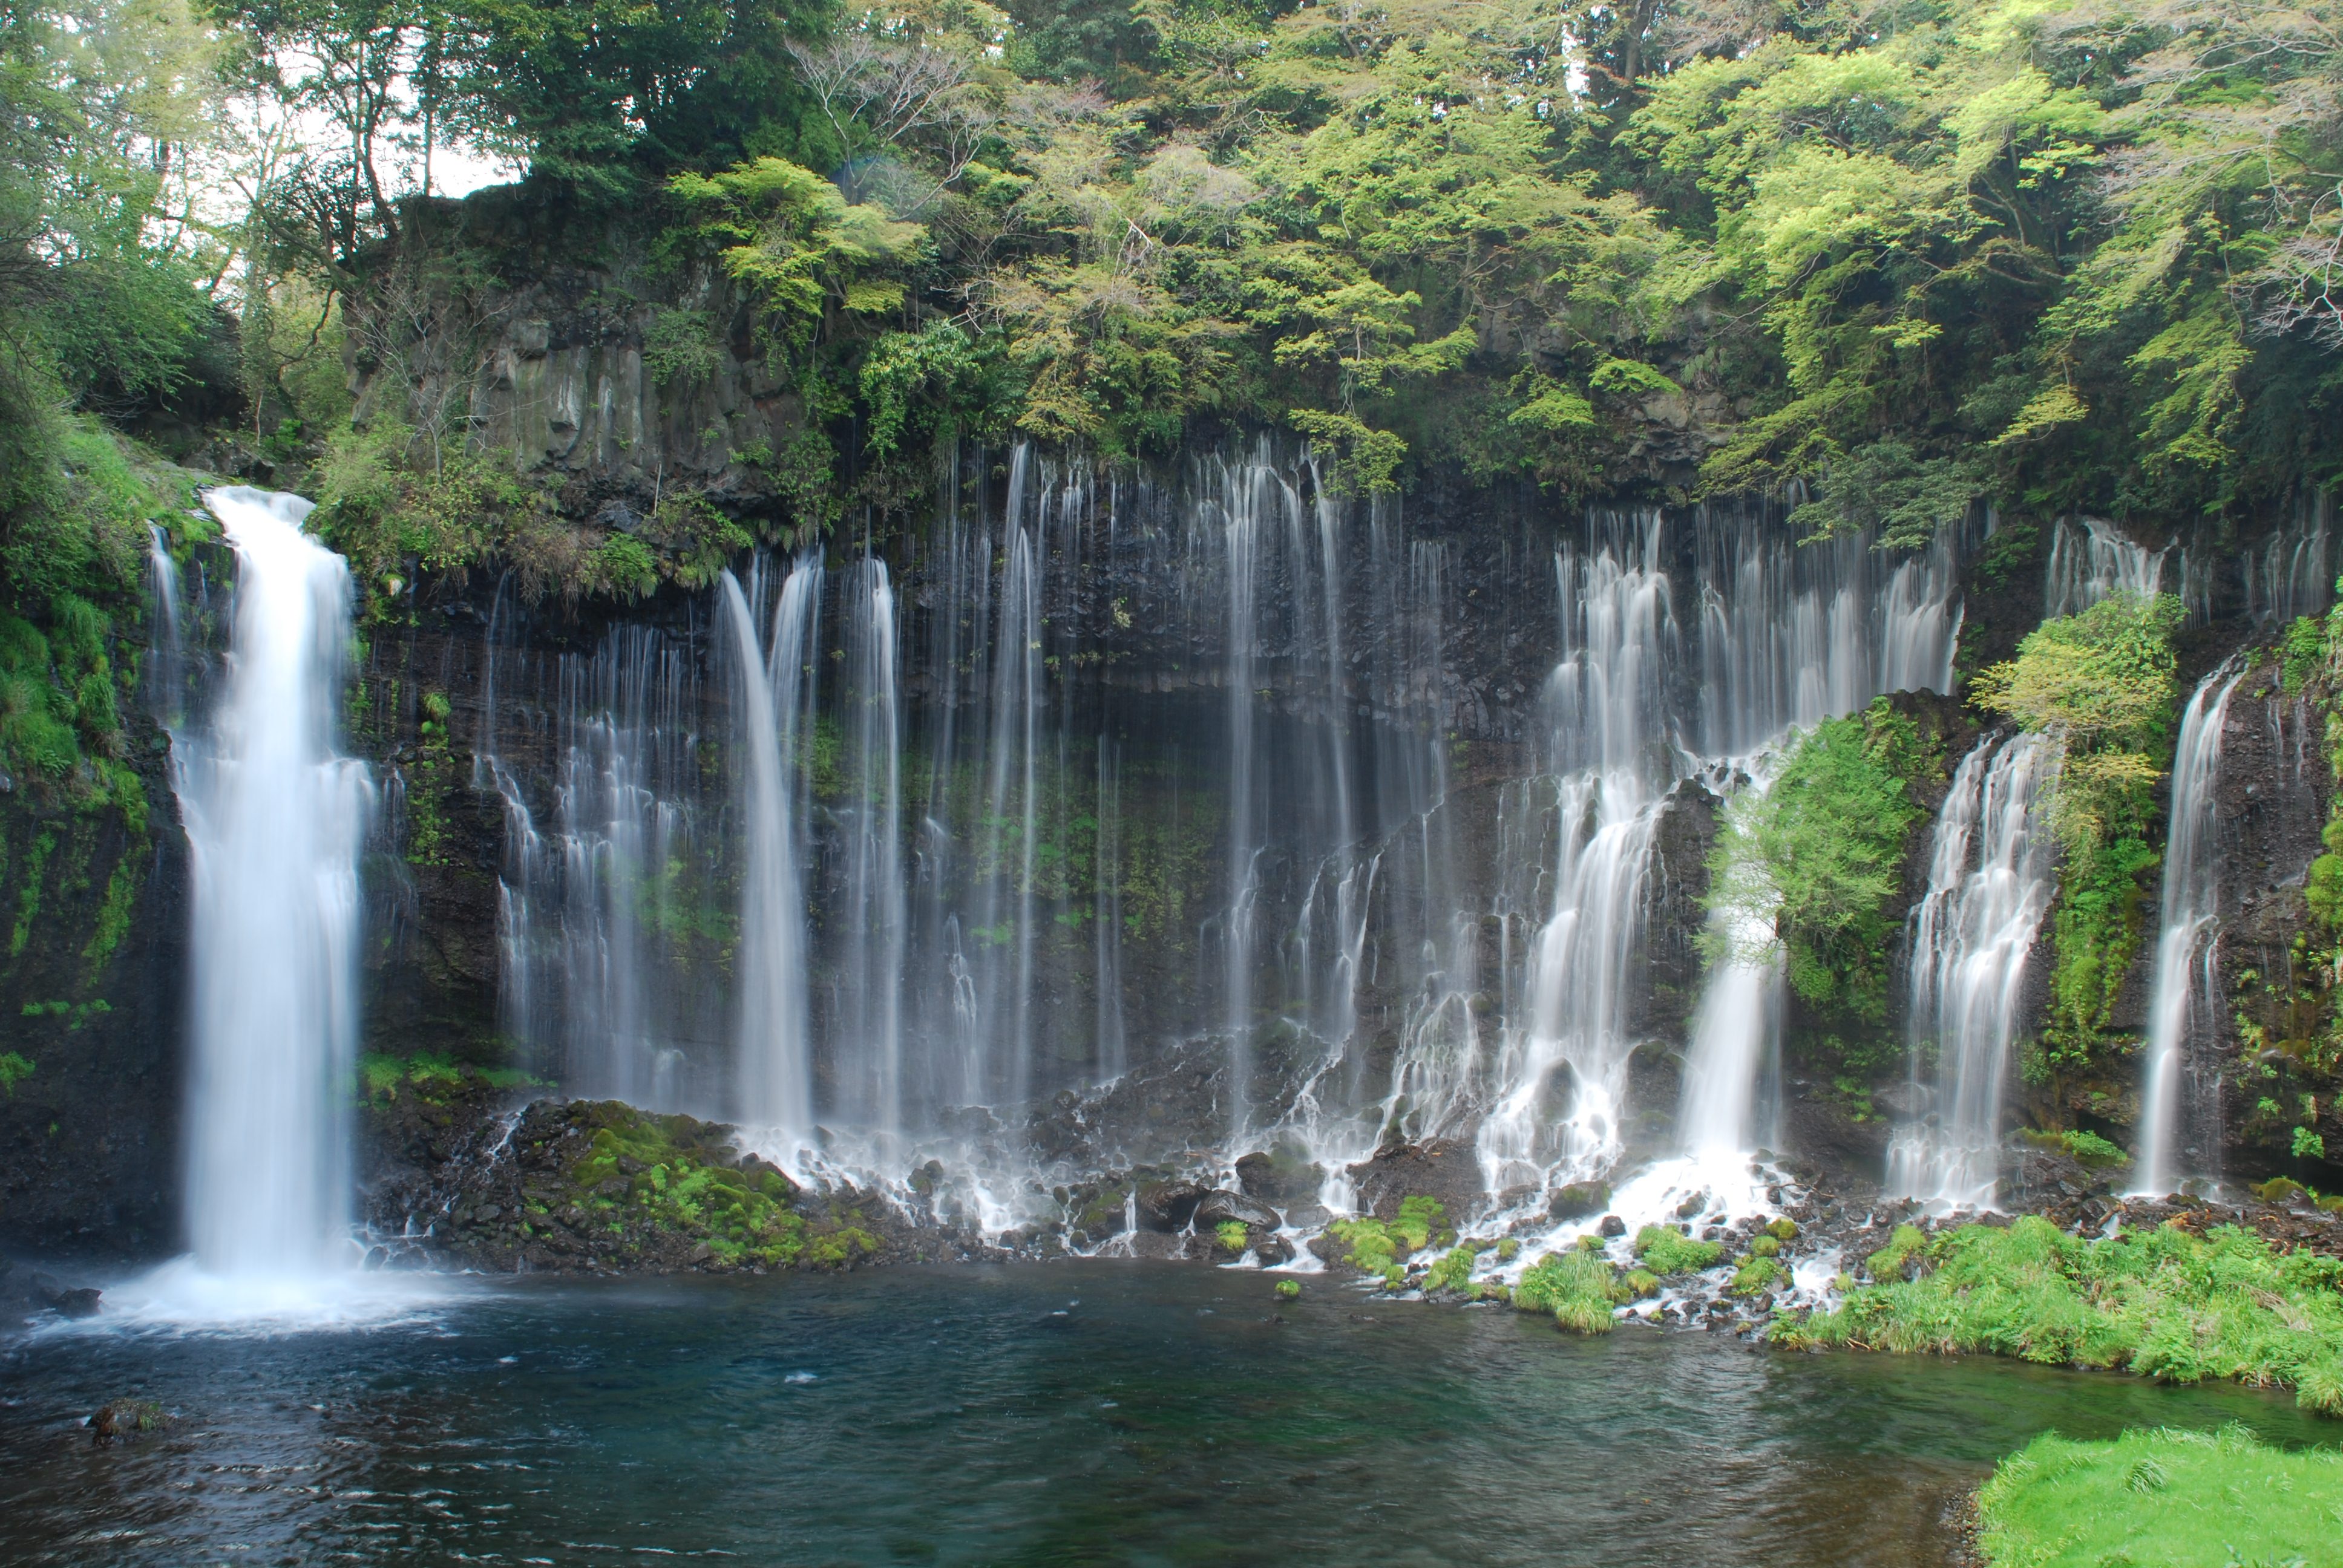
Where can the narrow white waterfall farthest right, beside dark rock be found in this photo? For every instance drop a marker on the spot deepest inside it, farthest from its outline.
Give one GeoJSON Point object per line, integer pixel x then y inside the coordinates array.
{"type": "Point", "coordinates": [2187, 988]}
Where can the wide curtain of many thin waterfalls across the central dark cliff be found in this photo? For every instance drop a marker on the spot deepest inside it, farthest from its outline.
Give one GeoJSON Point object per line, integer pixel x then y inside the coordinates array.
{"type": "Point", "coordinates": [1180, 739]}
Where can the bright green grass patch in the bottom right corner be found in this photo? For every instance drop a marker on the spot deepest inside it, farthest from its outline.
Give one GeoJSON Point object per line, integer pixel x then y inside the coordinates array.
{"type": "Point", "coordinates": [2161, 1497]}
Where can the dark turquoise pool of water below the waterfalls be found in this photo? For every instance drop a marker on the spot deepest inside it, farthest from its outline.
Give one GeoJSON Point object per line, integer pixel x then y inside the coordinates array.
{"type": "Point", "coordinates": [1048, 1414]}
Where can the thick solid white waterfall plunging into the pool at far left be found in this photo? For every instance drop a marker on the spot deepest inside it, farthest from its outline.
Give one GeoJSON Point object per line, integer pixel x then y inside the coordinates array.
{"type": "Point", "coordinates": [275, 817]}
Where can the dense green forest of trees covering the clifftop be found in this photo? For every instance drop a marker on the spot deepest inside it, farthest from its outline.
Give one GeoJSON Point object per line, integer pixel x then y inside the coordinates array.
{"type": "Point", "coordinates": [1913, 257]}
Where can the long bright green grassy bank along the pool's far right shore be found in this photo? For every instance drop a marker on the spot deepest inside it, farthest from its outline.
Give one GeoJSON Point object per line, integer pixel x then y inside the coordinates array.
{"type": "Point", "coordinates": [2166, 1304]}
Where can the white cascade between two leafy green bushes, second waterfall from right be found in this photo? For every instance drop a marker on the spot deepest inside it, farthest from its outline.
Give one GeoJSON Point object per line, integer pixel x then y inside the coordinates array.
{"type": "Point", "coordinates": [1972, 939]}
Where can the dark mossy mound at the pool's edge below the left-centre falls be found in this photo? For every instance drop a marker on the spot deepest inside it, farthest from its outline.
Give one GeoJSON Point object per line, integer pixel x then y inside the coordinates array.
{"type": "Point", "coordinates": [662, 1171]}
